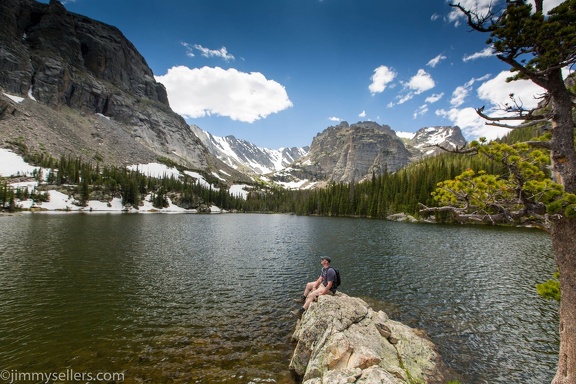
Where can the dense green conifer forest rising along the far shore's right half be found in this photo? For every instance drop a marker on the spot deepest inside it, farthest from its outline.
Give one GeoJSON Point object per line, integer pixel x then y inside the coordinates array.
{"type": "Point", "coordinates": [401, 191]}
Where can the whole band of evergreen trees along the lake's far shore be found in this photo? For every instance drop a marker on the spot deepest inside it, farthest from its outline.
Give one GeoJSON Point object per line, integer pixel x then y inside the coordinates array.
{"type": "Point", "coordinates": [401, 191]}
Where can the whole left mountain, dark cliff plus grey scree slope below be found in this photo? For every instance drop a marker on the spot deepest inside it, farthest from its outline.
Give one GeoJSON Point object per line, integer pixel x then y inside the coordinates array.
{"type": "Point", "coordinates": [85, 71]}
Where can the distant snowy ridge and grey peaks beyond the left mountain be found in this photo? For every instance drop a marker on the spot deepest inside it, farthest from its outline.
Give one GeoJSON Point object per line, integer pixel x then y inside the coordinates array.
{"type": "Point", "coordinates": [342, 153]}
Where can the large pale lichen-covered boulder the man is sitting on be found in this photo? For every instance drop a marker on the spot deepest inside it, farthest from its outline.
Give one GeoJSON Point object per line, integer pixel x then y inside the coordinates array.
{"type": "Point", "coordinates": [340, 339]}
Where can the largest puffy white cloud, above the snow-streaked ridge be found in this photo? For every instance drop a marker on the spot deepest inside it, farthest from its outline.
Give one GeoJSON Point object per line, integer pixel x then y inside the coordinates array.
{"type": "Point", "coordinates": [200, 92]}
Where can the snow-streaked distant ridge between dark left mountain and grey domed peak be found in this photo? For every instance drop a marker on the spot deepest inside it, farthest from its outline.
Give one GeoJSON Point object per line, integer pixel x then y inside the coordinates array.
{"type": "Point", "coordinates": [247, 157]}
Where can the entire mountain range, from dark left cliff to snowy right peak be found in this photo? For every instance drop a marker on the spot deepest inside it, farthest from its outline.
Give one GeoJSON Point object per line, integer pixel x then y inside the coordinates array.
{"type": "Point", "coordinates": [70, 85]}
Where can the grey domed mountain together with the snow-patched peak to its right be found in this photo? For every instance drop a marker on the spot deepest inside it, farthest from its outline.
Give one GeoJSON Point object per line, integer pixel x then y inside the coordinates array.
{"type": "Point", "coordinates": [354, 152]}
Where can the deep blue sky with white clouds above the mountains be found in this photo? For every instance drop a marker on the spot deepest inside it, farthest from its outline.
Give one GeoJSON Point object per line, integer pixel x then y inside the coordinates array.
{"type": "Point", "coordinates": [278, 72]}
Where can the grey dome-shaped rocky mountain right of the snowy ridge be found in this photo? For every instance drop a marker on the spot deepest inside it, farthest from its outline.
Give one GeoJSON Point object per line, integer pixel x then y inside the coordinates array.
{"type": "Point", "coordinates": [350, 153]}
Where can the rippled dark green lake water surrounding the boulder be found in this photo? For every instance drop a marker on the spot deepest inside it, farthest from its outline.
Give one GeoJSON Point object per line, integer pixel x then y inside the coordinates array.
{"type": "Point", "coordinates": [206, 298]}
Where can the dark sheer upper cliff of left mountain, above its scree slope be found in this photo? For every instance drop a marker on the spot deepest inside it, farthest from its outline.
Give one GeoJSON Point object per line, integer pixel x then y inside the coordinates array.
{"type": "Point", "coordinates": [71, 59]}
